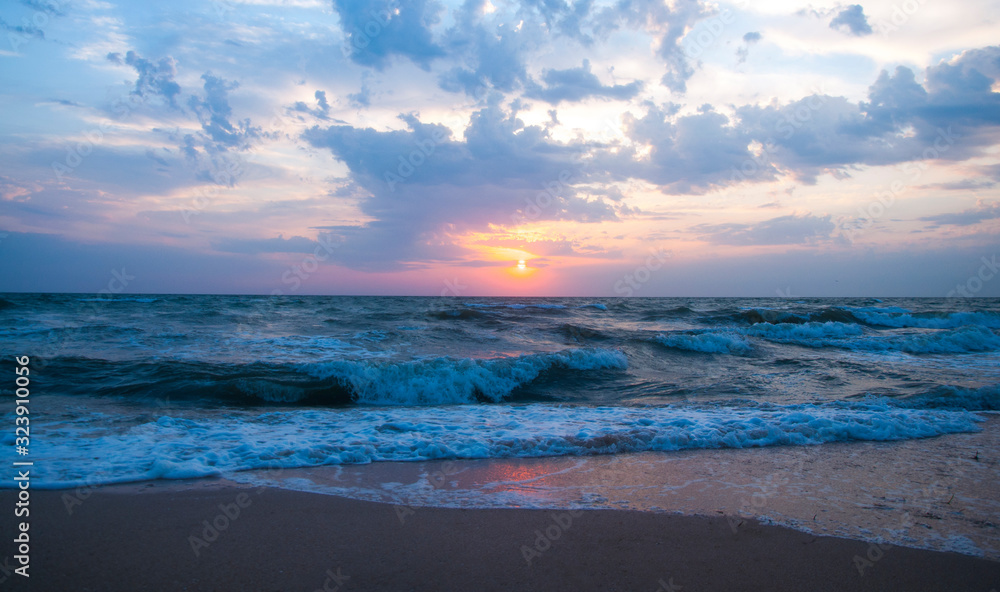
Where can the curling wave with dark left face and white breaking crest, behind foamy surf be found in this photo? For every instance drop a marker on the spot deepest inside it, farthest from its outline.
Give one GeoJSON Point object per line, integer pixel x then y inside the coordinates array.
{"type": "Point", "coordinates": [434, 381]}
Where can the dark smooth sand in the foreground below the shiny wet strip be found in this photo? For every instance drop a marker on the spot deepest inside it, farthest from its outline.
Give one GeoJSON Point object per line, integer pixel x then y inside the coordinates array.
{"type": "Point", "coordinates": [160, 537]}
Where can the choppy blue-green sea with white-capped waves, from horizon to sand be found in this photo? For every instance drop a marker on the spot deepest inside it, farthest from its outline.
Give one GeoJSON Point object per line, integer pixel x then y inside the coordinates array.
{"type": "Point", "coordinates": [130, 388]}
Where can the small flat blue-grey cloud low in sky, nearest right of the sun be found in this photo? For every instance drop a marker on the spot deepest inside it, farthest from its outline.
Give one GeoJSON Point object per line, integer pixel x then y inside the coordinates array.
{"type": "Point", "coordinates": [784, 230]}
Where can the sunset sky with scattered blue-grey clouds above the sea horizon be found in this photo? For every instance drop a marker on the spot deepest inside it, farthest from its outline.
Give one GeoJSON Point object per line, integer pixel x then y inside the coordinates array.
{"type": "Point", "coordinates": [529, 148]}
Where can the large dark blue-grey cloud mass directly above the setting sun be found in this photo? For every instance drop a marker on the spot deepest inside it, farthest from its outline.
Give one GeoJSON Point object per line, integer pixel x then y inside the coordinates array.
{"type": "Point", "coordinates": [421, 185]}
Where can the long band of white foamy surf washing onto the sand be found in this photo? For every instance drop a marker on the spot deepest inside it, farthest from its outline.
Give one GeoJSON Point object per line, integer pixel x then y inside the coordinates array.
{"type": "Point", "coordinates": [179, 447]}
